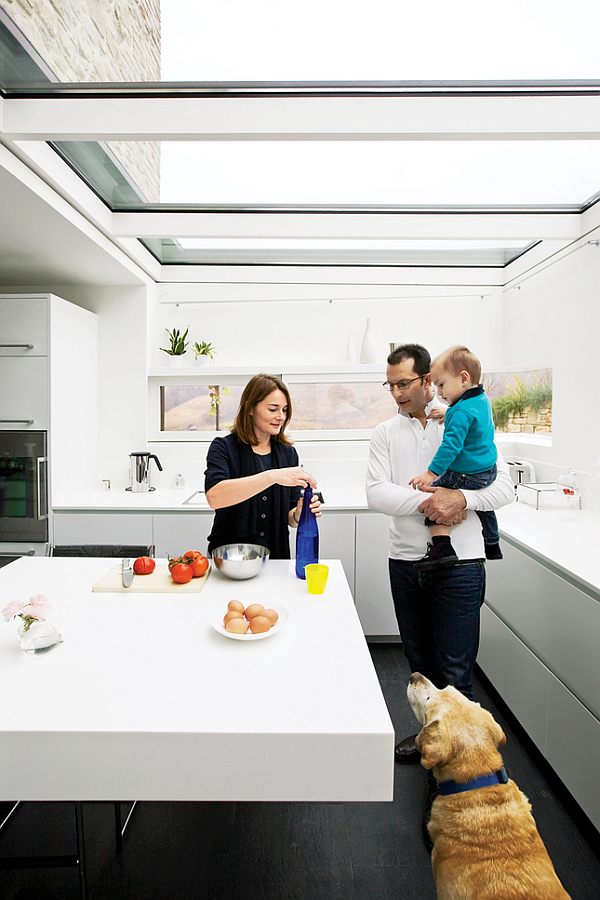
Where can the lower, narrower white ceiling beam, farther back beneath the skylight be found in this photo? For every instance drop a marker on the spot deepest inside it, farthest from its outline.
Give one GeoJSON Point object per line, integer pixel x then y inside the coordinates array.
{"type": "Point", "coordinates": [335, 225]}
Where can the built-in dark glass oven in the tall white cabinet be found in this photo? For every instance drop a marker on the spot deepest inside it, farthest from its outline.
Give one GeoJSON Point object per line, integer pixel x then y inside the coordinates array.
{"type": "Point", "coordinates": [23, 486]}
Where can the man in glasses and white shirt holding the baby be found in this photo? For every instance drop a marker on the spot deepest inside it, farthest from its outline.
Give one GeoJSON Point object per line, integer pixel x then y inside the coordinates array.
{"type": "Point", "coordinates": [437, 611]}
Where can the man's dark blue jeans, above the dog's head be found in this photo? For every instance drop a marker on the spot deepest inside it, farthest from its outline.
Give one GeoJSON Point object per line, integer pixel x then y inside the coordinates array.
{"type": "Point", "coordinates": [438, 618]}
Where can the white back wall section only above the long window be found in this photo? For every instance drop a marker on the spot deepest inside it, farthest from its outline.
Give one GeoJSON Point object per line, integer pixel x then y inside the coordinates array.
{"type": "Point", "coordinates": [264, 334]}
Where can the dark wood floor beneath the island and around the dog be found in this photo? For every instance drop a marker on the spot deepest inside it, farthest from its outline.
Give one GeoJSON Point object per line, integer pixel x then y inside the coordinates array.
{"type": "Point", "coordinates": [290, 851]}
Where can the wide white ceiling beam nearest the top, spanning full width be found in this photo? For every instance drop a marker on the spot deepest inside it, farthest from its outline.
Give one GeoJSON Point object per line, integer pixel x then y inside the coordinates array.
{"type": "Point", "coordinates": [397, 118]}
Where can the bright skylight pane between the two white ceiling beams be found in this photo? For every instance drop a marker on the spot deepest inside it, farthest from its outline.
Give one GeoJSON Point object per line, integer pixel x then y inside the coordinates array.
{"type": "Point", "coordinates": [405, 173]}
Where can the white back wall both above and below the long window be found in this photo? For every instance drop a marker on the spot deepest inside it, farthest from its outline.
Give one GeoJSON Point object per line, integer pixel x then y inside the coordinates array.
{"type": "Point", "coordinates": [267, 335]}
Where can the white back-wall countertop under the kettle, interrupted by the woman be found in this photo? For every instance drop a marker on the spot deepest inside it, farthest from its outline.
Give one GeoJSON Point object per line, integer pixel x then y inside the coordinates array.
{"type": "Point", "coordinates": [166, 500]}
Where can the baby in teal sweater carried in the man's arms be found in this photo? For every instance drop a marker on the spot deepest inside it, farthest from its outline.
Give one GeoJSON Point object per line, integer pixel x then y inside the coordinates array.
{"type": "Point", "coordinates": [467, 455]}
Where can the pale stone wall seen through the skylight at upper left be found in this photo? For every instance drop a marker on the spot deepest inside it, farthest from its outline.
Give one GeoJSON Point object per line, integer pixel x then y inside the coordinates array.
{"type": "Point", "coordinates": [100, 41]}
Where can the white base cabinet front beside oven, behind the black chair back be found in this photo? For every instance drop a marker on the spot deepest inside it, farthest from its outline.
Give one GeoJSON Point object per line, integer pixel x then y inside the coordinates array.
{"type": "Point", "coordinates": [102, 528]}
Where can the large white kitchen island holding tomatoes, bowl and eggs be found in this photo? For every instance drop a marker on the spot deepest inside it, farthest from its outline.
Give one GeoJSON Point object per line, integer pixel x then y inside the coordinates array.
{"type": "Point", "coordinates": [145, 700]}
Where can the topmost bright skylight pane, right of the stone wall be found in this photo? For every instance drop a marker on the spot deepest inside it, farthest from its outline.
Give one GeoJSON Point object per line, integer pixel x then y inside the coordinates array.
{"type": "Point", "coordinates": [261, 40]}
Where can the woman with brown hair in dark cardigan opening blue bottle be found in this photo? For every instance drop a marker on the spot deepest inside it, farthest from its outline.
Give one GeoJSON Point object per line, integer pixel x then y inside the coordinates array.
{"type": "Point", "coordinates": [253, 478]}
